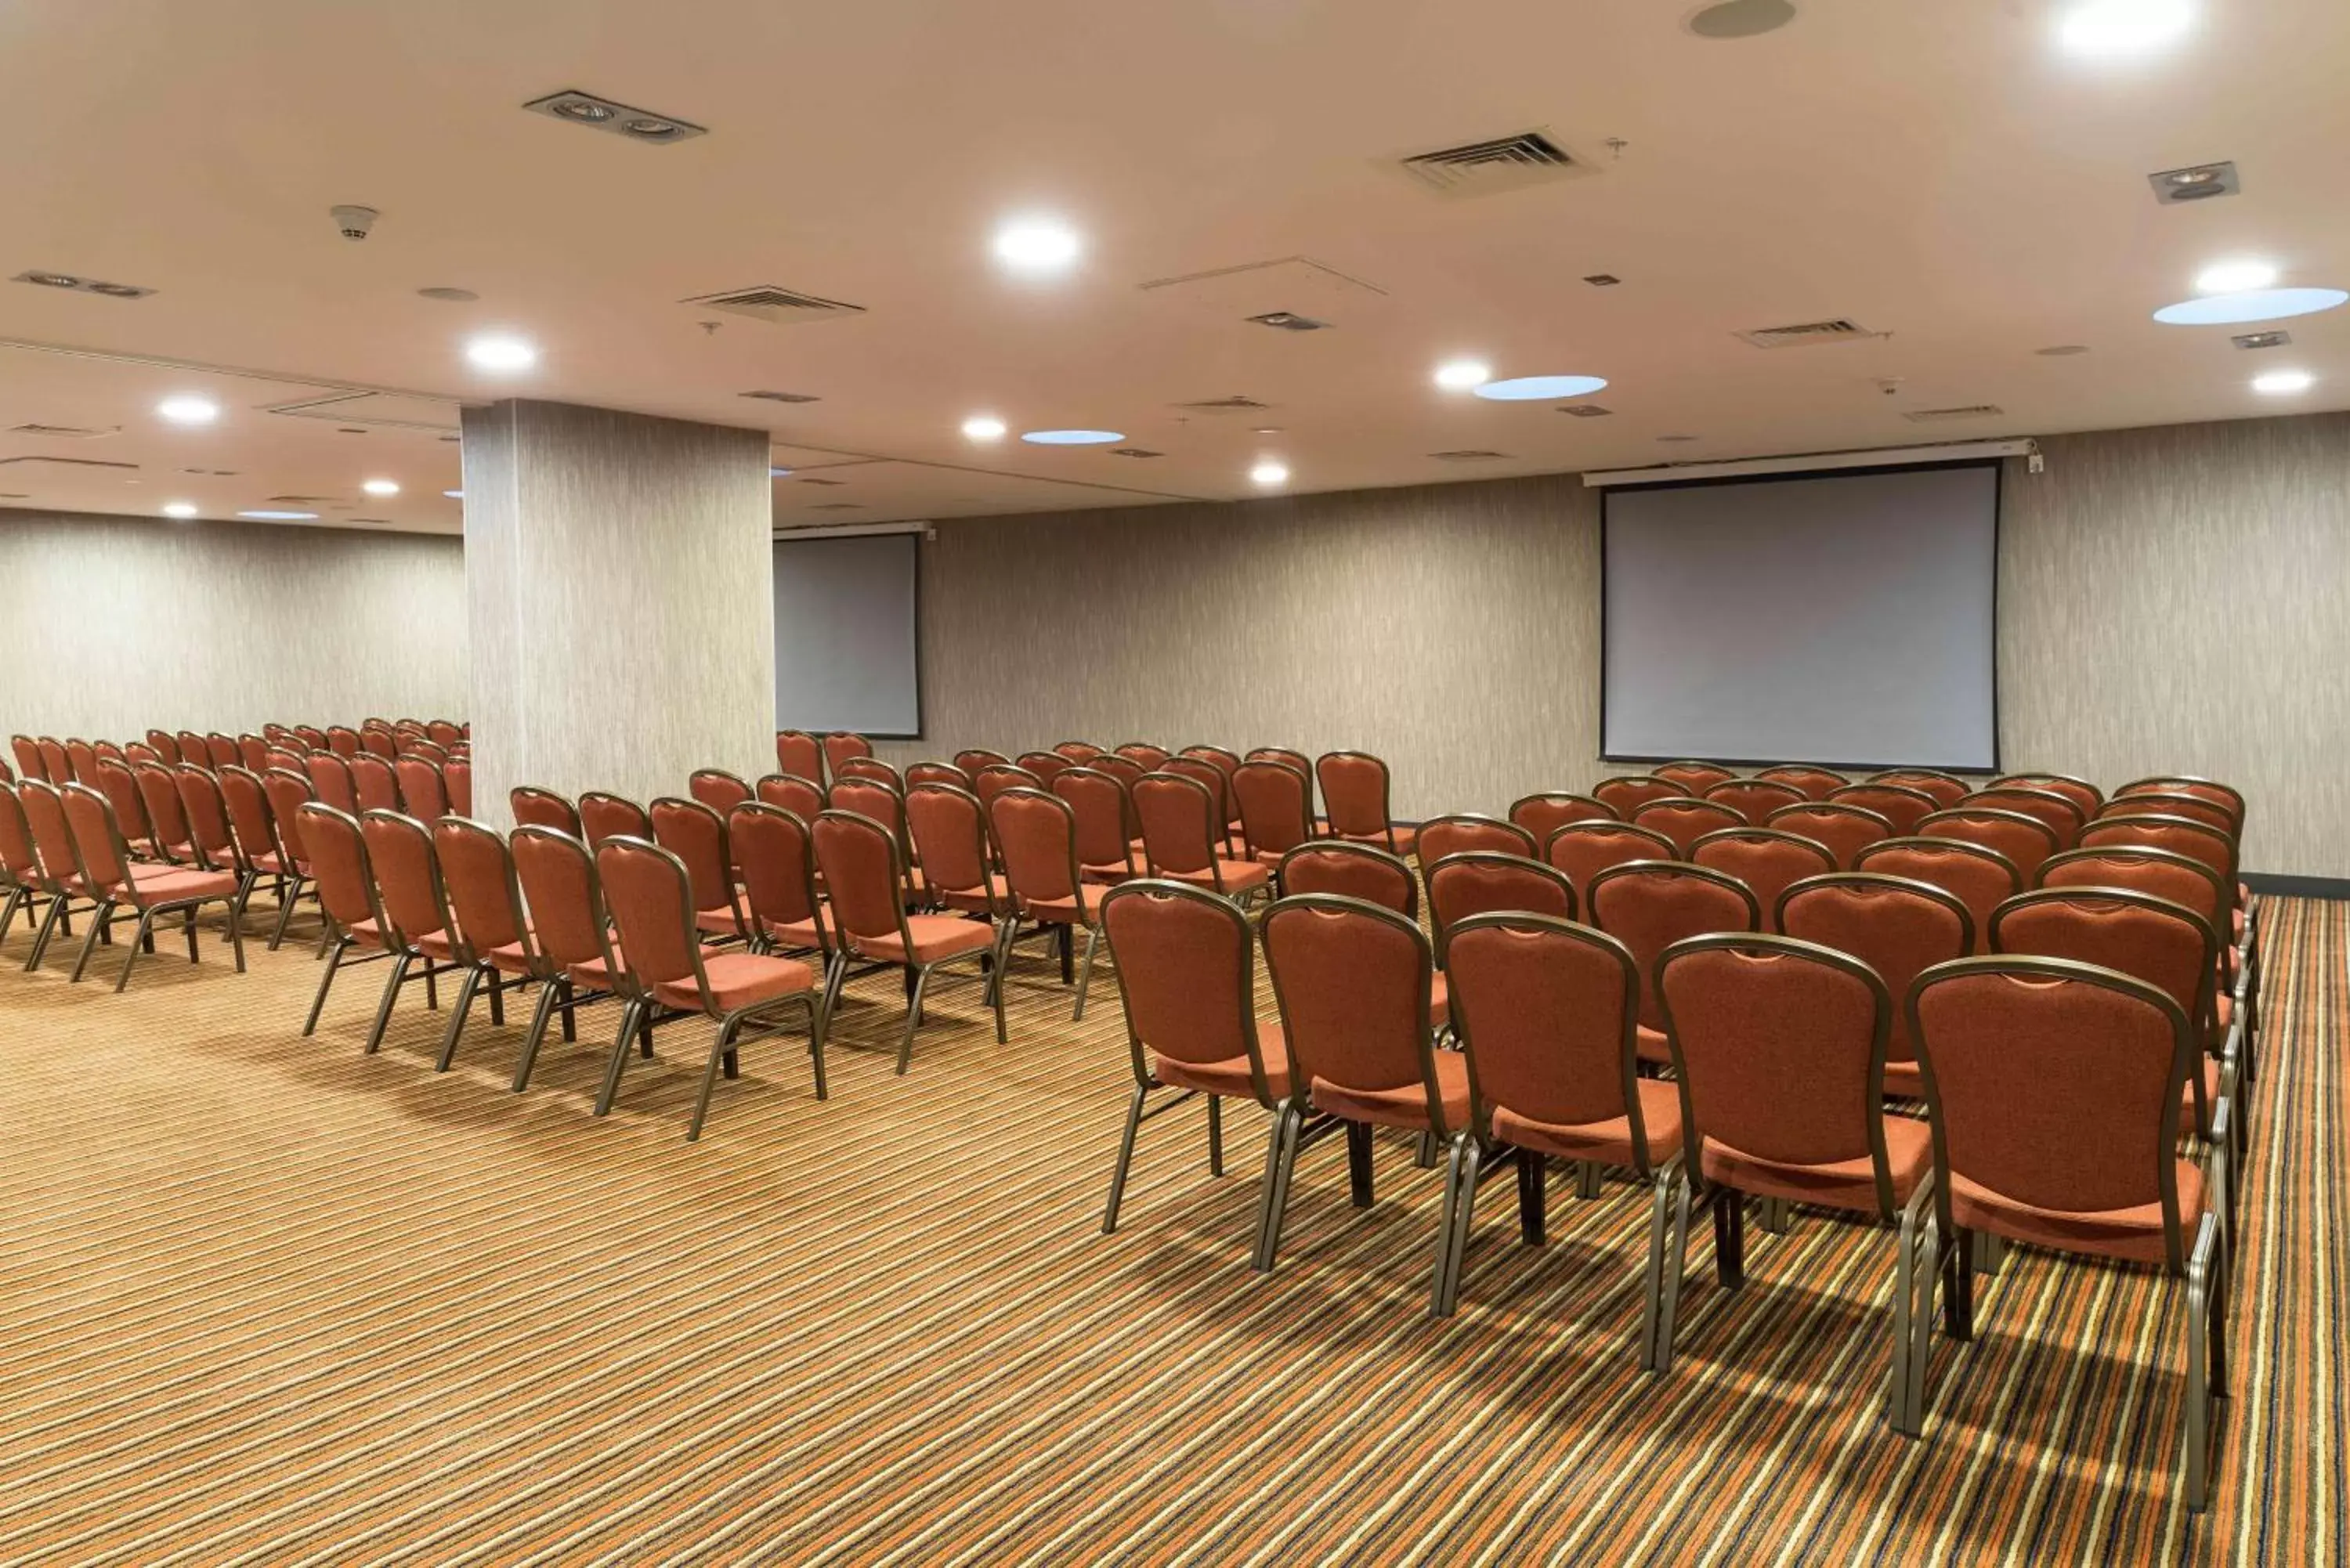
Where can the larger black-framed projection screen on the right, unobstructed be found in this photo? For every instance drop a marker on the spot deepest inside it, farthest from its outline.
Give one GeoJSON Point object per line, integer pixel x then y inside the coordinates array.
{"type": "Point", "coordinates": [1839, 619]}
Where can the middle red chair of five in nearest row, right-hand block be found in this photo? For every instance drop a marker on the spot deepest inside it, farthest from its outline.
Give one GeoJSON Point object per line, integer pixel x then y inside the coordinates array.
{"type": "Point", "coordinates": [1545, 1014]}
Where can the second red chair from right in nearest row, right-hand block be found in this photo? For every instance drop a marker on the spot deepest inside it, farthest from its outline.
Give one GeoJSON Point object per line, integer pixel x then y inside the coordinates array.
{"type": "Point", "coordinates": [1780, 1054]}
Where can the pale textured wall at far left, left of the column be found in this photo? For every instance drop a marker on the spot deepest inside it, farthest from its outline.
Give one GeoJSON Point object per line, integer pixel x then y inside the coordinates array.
{"type": "Point", "coordinates": [121, 624]}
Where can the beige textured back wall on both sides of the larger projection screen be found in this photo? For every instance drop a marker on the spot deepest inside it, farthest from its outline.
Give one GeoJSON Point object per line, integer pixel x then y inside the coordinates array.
{"type": "Point", "coordinates": [2168, 601]}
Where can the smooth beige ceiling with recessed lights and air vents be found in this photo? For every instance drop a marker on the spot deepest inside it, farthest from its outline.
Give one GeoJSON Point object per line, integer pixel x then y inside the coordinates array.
{"type": "Point", "coordinates": [1940, 175]}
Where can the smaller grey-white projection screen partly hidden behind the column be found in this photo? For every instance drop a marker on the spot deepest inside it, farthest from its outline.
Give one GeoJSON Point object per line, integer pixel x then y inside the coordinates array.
{"type": "Point", "coordinates": [847, 626]}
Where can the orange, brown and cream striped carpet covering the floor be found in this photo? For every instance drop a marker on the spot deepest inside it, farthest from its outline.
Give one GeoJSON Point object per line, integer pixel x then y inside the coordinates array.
{"type": "Point", "coordinates": [269, 1301]}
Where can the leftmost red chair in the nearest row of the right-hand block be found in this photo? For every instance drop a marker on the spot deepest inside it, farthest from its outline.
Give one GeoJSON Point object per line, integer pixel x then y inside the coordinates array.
{"type": "Point", "coordinates": [1188, 986]}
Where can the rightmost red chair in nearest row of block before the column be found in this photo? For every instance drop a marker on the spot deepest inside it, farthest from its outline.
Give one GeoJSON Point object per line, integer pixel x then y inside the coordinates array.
{"type": "Point", "coordinates": [671, 974]}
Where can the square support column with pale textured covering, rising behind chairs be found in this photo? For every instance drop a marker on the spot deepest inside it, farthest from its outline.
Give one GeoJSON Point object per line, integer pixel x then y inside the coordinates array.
{"type": "Point", "coordinates": [619, 579]}
